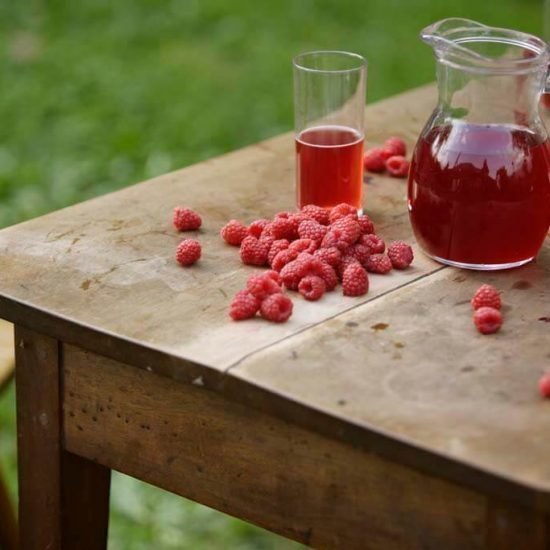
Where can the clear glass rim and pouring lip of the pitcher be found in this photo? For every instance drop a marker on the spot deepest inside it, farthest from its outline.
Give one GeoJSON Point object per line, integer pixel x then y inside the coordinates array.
{"type": "Point", "coordinates": [449, 36]}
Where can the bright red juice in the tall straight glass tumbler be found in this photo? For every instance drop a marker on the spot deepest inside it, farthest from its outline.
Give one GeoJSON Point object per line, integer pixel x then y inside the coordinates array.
{"type": "Point", "coordinates": [329, 166]}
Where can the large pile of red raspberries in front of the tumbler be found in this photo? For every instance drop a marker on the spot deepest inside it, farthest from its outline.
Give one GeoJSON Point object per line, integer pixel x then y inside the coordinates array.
{"type": "Point", "coordinates": [310, 251]}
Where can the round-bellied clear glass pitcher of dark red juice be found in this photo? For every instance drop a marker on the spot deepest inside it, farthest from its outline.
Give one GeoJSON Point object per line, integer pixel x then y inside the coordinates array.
{"type": "Point", "coordinates": [479, 184]}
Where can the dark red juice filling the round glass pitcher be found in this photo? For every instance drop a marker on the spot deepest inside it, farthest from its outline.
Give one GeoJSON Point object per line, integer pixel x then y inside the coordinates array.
{"type": "Point", "coordinates": [479, 194]}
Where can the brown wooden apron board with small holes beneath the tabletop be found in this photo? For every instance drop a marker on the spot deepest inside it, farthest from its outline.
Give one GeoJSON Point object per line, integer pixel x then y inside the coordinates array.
{"type": "Point", "coordinates": [307, 487]}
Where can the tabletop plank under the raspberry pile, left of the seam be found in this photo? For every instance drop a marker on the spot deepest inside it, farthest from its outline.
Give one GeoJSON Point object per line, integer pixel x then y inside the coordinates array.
{"type": "Point", "coordinates": [74, 264]}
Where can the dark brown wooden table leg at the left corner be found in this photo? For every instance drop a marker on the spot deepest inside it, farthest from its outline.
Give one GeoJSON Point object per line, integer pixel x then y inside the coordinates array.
{"type": "Point", "coordinates": [63, 498]}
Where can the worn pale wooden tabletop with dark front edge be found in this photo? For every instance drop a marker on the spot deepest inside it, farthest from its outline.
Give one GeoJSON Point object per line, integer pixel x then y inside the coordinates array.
{"type": "Point", "coordinates": [400, 371]}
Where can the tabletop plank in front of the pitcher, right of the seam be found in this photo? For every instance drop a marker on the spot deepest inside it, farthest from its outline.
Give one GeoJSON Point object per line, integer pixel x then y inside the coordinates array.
{"type": "Point", "coordinates": [411, 364]}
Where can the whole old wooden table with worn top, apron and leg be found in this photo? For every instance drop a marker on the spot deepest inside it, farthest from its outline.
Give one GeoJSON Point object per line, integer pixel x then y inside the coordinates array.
{"type": "Point", "coordinates": [384, 421]}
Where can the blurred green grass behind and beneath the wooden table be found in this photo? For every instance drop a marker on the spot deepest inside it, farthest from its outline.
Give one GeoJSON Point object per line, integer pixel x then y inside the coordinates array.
{"type": "Point", "coordinates": [96, 95]}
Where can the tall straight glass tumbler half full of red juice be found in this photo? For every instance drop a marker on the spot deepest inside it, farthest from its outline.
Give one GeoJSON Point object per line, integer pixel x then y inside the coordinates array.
{"type": "Point", "coordinates": [329, 105]}
